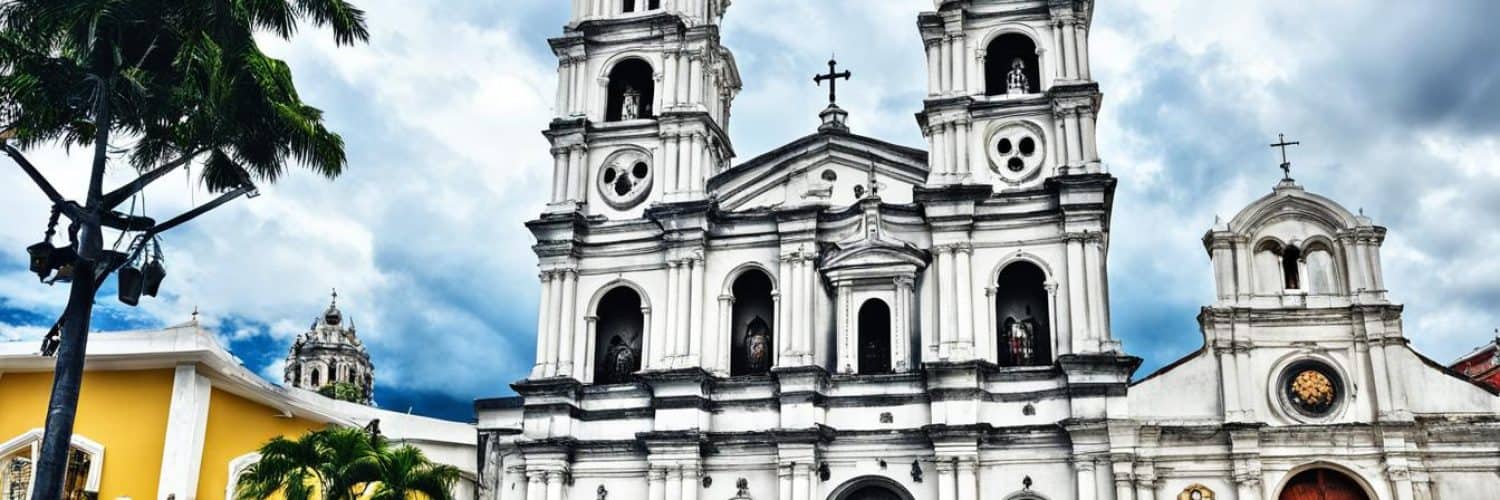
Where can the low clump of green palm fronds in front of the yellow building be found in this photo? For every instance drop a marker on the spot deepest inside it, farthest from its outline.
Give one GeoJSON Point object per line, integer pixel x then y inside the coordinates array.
{"type": "Point", "coordinates": [344, 465]}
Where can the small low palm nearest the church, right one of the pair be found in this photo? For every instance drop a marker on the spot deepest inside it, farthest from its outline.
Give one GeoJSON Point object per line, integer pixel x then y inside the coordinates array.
{"type": "Point", "coordinates": [404, 474]}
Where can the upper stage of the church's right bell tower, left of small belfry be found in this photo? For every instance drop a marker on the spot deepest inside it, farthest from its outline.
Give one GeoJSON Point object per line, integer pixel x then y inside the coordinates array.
{"type": "Point", "coordinates": [1010, 98]}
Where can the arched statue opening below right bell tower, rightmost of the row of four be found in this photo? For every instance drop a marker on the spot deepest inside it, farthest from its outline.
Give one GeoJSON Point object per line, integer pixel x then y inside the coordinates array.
{"type": "Point", "coordinates": [1021, 304]}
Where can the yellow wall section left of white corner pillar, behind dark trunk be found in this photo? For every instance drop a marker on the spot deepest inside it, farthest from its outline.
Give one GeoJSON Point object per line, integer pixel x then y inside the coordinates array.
{"type": "Point", "coordinates": [124, 411]}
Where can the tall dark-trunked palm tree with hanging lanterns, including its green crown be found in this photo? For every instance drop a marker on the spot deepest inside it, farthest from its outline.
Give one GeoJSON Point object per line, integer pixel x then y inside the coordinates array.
{"type": "Point", "coordinates": [182, 83]}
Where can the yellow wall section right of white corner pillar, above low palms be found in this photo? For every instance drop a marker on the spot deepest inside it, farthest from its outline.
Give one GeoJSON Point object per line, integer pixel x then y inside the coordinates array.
{"type": "Point", "coordinates": [238, 427]}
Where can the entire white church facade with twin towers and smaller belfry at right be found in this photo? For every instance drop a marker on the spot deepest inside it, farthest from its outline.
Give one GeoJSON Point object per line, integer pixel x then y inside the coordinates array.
{"type": "Point", "coordinates": [850, 319]}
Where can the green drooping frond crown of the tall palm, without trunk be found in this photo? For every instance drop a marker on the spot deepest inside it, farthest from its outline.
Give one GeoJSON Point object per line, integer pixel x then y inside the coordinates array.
{"type": "Point", "coordinates": [184, 82]}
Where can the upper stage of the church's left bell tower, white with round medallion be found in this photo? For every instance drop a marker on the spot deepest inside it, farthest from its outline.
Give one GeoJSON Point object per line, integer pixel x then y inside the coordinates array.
{"type": "Point", "coordinates": [643, 106]}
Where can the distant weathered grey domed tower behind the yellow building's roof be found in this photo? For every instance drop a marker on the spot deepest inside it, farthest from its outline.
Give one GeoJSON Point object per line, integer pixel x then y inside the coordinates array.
{"type": "Point", "coordinates": [331, 354]}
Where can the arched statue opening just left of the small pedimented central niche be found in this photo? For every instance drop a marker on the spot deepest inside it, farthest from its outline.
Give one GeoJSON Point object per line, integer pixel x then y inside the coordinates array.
{"type": "Point", "coordinates": [752, 337]}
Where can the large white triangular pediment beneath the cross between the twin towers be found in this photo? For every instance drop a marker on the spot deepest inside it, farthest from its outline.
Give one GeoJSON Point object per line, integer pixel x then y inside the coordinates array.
{"type": "Point", "coordinates": [823, 167]}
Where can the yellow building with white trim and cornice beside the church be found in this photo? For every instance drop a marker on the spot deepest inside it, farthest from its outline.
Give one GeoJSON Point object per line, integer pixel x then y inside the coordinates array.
{"type": "Point", "coordinates": [172, 414]}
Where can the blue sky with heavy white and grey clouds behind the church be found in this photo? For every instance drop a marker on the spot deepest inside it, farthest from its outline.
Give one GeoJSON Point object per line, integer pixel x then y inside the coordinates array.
{"type": "Point", "coordinates": [1397, 106]}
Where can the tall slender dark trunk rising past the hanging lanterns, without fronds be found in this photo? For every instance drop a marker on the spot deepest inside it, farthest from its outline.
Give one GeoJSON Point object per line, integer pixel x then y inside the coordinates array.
{"type": "Point", "coordinates": [70, 373]}
